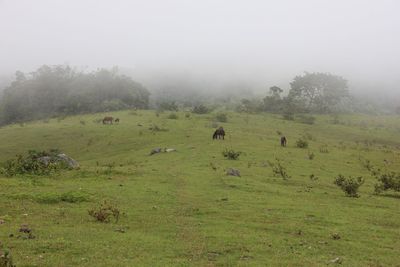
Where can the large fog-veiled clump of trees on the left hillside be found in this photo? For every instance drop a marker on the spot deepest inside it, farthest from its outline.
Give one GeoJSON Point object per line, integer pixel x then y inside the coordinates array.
{"type": "Point", "coordinates": [61, 90]}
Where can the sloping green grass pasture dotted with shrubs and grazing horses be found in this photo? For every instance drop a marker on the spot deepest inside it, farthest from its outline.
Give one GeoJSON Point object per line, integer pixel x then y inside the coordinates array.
{"type": "Point", "coordinates": [181, 209]}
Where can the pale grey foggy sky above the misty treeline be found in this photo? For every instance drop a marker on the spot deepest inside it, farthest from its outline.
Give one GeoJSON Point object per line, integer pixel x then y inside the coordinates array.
{"type": "Point", "coordinates": [268, 42]}
